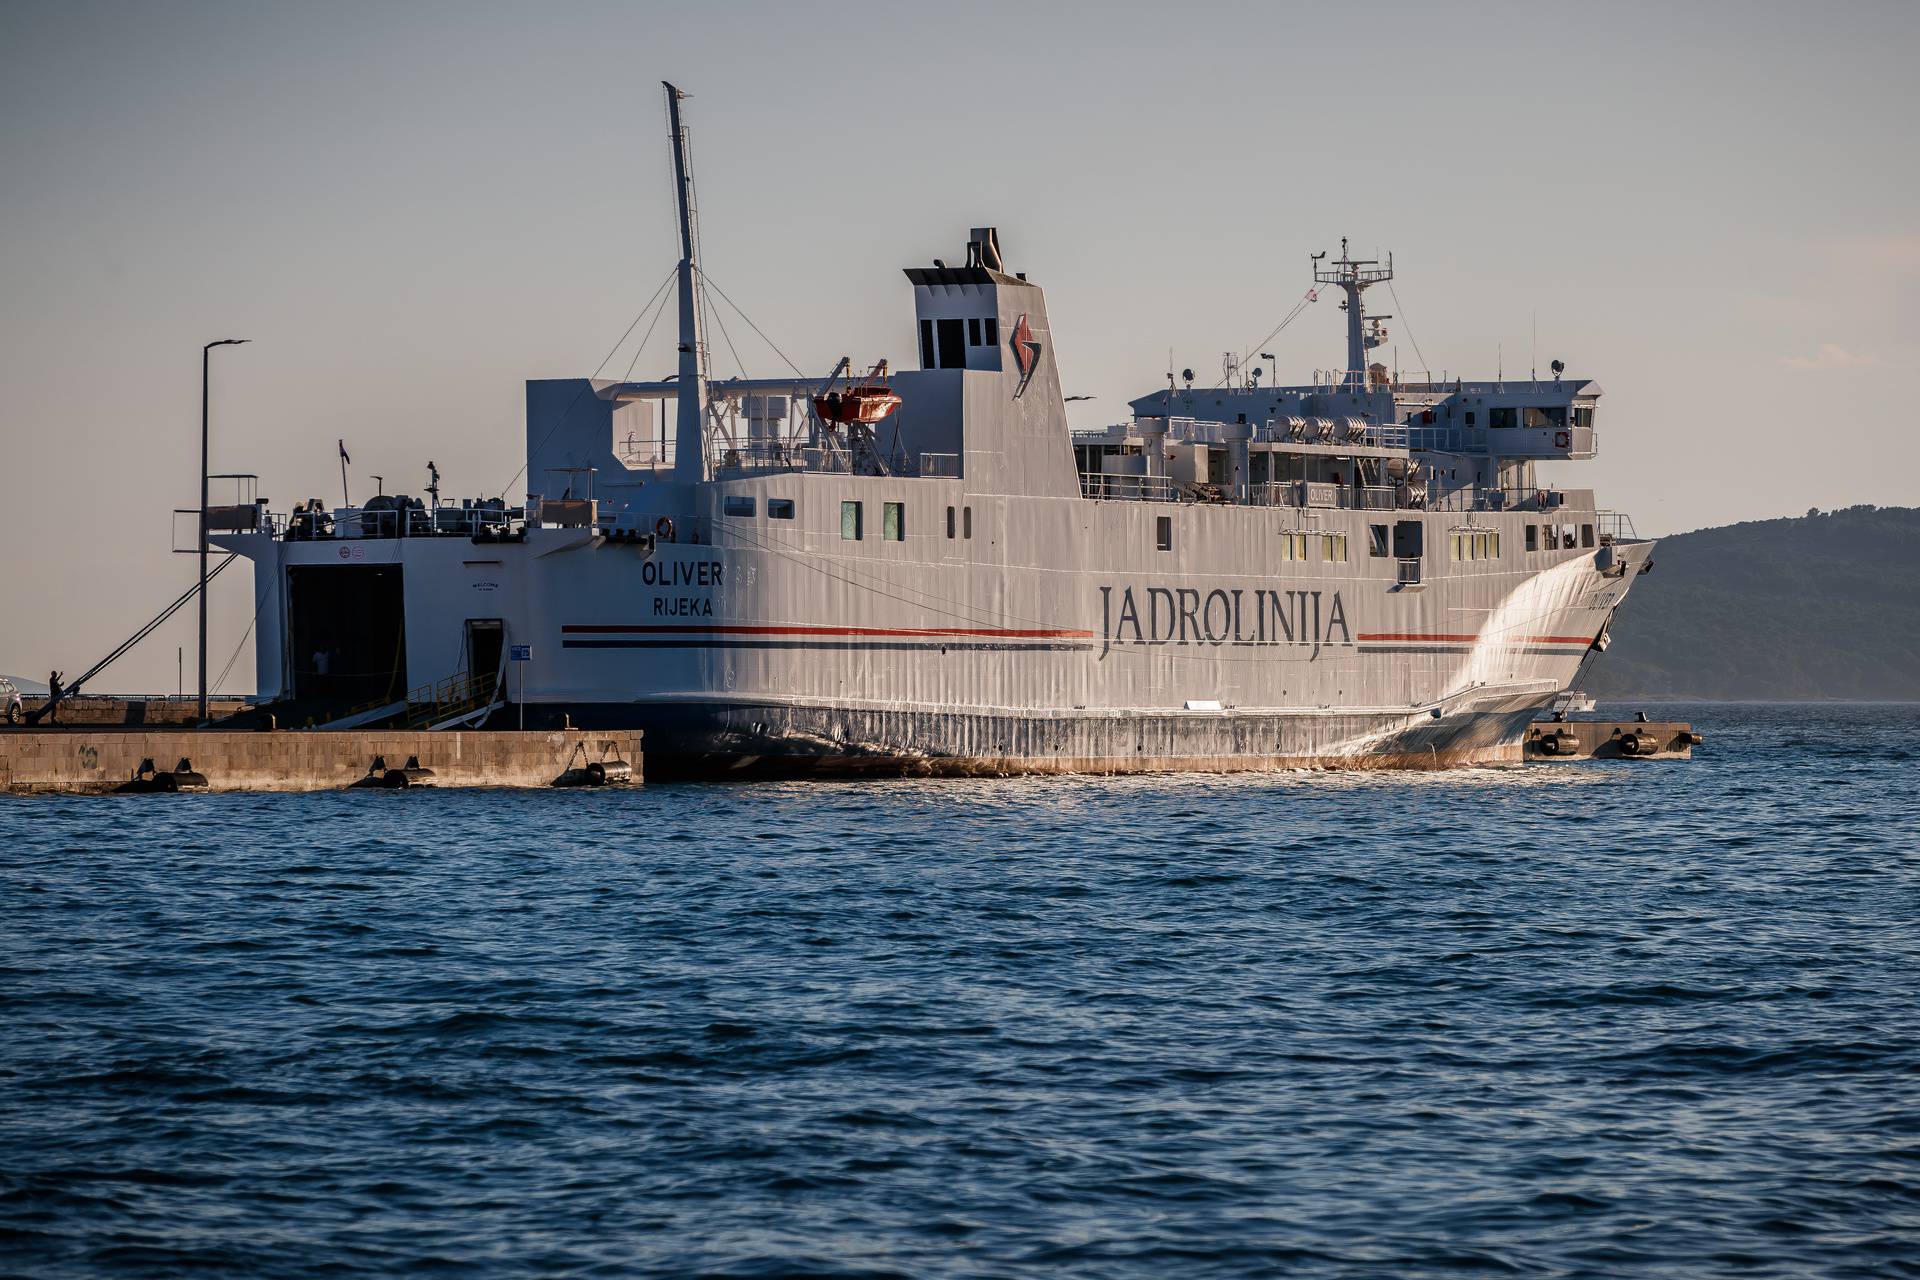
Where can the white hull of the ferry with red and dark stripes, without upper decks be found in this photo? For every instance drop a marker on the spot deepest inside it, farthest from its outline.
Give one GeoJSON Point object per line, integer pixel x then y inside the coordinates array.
{"type": "Point", "coordinates": [1057, 640]}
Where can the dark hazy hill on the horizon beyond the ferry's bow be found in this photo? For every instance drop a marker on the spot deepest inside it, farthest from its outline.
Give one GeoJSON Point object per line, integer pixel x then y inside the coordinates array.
{"type": "Point", "coordinates": [1819, 607]}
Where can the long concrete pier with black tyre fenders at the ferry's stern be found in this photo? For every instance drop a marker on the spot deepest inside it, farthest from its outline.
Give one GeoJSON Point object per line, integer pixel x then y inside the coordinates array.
{"type": "Point", "coordinates": [108, 761]}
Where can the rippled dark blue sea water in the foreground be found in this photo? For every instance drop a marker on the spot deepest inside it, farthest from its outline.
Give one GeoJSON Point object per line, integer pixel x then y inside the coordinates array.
{"type": "Point", "coordinates": [1570, 1020]}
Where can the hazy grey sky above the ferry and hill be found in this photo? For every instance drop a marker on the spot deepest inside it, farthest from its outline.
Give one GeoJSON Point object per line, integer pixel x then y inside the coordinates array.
{"type": "Point", "coordinates": [1714, 210]}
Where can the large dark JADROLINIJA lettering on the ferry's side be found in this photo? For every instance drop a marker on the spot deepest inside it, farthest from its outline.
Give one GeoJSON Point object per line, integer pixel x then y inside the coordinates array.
{"type": "Point", "coordinates": [1222, 617]}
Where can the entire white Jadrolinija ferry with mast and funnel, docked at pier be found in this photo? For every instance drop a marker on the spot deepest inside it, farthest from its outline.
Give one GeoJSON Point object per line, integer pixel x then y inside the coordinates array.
{"type": "Point", "coordinates": [928, 571]}
